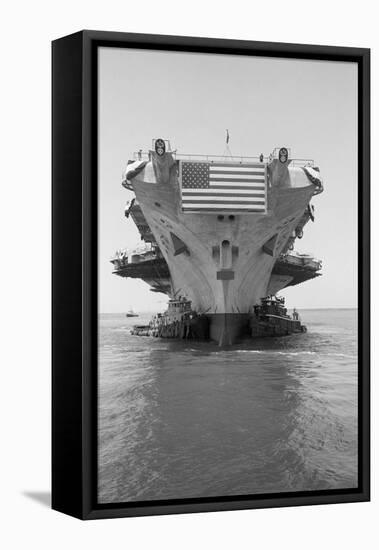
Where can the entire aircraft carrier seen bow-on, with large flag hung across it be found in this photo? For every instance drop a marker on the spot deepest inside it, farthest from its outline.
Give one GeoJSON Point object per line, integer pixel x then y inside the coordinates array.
{"type": "Point", "coordinates": [218, 231]}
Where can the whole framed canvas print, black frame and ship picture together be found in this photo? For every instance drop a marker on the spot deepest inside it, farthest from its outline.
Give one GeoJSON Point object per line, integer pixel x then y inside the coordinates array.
{"type": "Point", "coordinates": [211, 293]}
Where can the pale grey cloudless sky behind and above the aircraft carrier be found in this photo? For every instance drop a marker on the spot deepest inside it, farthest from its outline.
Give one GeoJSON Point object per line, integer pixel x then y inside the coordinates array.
{"type": "Point", "coordinates": [191, 98]}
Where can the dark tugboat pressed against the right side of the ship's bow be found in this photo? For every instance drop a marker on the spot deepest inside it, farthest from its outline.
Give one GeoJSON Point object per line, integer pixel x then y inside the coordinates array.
{"type": "Point", "coordinates": [271, 319]}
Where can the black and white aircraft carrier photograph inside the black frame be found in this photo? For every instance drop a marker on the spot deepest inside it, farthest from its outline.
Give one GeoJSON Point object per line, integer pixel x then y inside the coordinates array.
{"type": "Point", "coordinates": [227, 275]}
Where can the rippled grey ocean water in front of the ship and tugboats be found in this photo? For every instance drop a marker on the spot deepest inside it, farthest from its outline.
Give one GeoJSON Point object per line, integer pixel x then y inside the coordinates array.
{"type": "Point", "coordinates": [182, 419]}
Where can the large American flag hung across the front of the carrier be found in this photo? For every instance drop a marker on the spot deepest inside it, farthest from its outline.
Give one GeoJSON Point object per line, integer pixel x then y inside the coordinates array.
{"type": "Point", "coordinates": [223, 186]}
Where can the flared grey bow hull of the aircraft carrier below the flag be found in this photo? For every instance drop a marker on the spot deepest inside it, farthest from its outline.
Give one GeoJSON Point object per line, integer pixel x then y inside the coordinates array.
{"type": "Point", "coordinates": [222, 264]}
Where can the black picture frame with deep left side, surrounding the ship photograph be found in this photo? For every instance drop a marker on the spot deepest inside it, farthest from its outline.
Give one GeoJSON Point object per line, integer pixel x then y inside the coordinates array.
{"type": "Point", "coordinates": [74, 272]}
